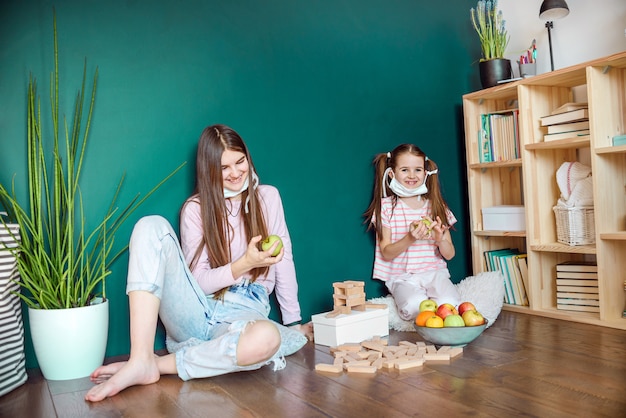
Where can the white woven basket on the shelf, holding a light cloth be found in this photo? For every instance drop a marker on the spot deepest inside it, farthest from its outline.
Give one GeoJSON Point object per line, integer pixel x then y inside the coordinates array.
{"type": "Point", "coordinates": [575, 225]}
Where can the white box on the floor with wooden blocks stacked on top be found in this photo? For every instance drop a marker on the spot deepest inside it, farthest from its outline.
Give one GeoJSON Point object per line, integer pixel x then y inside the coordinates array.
{"type": "Point", "coordinates": [355, 327]}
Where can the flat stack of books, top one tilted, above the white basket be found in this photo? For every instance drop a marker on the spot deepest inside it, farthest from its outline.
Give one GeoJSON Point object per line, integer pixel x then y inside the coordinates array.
{"type": "Point", "coordinates": [568, 121]}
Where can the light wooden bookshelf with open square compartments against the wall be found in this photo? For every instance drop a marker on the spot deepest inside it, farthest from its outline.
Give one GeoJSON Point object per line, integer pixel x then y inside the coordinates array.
{"type": "Point", "coordinates": [531, 181]}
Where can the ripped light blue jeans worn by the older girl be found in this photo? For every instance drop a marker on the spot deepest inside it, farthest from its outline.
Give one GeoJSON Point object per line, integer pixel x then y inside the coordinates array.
{"type": "Point", "coordinates": [202, 331]}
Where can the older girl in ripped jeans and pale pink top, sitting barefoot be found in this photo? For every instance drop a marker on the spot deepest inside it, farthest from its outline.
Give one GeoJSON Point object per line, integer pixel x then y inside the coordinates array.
{"type": "Point", "coordinates": [212, 291]}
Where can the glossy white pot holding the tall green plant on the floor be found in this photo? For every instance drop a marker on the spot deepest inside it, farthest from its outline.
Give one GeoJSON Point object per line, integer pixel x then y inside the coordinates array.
{"type": "Point", "coordinates": [70, 343]}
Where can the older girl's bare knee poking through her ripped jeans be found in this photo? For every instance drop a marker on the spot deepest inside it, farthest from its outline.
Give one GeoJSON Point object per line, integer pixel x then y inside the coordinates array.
{"type": "Point", "coordinates": [259, 342]}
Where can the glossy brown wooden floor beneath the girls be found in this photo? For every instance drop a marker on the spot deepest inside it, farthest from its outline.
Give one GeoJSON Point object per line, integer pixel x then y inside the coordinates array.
{"type": "Point", "coordinates": [522, 365]}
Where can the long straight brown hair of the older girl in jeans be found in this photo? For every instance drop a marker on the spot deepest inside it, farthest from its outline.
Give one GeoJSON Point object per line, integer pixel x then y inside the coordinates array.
{"type": "Point", "coordinates": [209, 191]}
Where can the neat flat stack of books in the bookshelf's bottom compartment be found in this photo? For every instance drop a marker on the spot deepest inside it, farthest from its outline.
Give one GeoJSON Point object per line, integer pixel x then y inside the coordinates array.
{"type": "Point", "coordinates": [577, 286]}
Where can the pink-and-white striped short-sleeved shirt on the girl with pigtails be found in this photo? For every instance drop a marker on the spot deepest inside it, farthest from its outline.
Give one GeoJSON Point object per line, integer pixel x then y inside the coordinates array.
{"type": "Point", "coordinates": [422, 255]}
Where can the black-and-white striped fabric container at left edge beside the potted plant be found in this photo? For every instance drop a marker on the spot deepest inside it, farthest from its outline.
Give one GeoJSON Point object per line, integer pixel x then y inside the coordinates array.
{"type": "Point", "coordinates": [12, 358]}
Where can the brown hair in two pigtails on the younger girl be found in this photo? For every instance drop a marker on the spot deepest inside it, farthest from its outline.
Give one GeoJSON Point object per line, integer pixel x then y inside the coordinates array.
{"type": "Point", "coordinates": [381, 163]}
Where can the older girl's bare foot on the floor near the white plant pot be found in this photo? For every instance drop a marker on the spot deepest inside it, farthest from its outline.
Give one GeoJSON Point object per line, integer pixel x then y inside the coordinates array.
{"type": "Point", "coordinates": [115, 377]}
